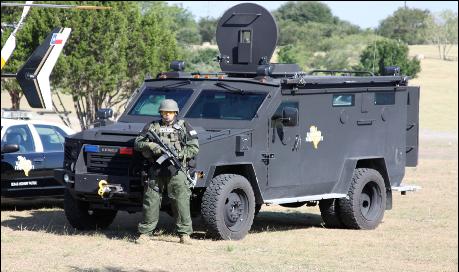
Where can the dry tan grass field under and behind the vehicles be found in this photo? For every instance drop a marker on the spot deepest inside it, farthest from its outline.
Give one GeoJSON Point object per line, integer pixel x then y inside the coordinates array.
{"type": "Point", "coordinates": [420, 233]}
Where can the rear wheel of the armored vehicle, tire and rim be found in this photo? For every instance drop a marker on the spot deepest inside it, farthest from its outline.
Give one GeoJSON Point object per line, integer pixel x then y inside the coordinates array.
{"type": "Point", "coordinates": [364, 207]}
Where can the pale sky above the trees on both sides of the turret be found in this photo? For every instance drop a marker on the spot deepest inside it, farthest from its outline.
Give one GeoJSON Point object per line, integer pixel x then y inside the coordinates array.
{"type": "Point", "coordinates": [366, 14]}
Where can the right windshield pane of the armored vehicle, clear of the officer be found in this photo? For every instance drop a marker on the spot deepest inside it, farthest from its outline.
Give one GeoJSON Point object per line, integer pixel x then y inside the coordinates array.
{"type": "Point", "coordinates": [213, 104]}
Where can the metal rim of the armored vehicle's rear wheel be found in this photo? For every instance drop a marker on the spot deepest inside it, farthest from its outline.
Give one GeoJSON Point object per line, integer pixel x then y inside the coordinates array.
{"type": "Point", "coordinates": [371, 201]}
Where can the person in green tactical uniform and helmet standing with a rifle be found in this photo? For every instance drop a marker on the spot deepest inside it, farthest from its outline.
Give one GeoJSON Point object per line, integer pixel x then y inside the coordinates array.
{"type": "Point", "coordinates": [181, 137]}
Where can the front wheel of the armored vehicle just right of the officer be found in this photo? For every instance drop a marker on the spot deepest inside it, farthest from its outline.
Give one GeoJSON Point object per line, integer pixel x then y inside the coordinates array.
{"type": "Point", "coordinates": [228, 207]}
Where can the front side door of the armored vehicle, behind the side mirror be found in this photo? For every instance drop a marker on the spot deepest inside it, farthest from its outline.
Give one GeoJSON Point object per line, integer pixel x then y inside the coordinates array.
{"type": "Point", "coordinates": [284, 139]}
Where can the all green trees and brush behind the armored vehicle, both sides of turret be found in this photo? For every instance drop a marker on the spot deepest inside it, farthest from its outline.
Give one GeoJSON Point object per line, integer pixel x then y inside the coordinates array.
{"type": "Point", "coordinates": [109, 52]}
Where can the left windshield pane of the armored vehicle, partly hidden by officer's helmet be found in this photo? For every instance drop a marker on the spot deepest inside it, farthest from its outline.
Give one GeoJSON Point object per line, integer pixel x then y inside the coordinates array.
{"type": "Point", "coordinates": [148, 103]}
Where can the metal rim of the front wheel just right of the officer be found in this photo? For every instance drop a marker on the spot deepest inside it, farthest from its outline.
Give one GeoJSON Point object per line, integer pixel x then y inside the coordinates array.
{"type": "Point", "coordinates": [236, 210]}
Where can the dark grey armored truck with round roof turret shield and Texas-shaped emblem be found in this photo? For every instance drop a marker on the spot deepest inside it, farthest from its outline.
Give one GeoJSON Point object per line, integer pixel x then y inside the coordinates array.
{"type": "Point", "coordinates": [268, 134]}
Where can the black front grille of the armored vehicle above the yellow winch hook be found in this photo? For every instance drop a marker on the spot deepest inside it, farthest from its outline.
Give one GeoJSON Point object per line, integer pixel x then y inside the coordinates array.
{"type": "Point", "coordinates": [110, 164]}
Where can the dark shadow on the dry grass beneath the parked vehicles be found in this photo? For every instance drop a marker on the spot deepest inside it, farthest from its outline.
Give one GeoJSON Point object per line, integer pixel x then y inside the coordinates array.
{"type": "Point", "coordinates": [124, 227]}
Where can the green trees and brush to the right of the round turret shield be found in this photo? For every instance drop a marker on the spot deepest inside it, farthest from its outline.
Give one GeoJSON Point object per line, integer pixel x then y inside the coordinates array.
{"type": "Point", "coordinates": [311, 36]}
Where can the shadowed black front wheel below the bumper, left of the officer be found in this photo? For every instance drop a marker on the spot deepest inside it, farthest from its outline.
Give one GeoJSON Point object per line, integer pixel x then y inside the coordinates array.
{"type": "Point", "coordinates": [81, 218]}
